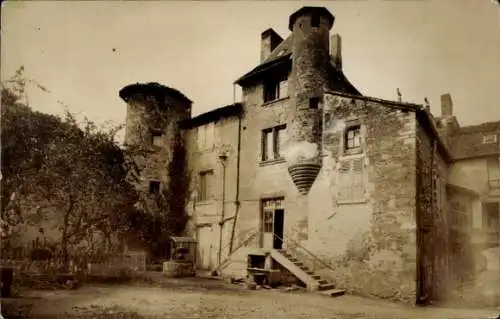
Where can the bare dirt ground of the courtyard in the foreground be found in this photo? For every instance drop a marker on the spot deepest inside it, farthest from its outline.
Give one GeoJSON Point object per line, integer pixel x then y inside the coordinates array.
{"type": "Point", "coordinates": [203, 298]}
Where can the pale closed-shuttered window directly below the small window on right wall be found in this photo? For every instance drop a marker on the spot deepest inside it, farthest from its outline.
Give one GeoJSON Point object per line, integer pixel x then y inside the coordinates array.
{"type": "Point", "coordinates": [350, 180]}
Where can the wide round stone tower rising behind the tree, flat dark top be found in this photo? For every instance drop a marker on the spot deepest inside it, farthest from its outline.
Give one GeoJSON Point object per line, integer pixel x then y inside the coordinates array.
{"type": "Point", "coordinates": [153, 114]}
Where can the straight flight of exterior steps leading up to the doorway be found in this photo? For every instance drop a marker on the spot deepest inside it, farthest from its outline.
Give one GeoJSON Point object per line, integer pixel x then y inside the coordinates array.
{"type": "Point", "coordinates": [313, 281]}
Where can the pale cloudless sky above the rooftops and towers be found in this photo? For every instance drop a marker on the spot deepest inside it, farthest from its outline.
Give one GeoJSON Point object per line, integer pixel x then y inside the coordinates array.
{"type": "Point", "coordinates": [424, 48]}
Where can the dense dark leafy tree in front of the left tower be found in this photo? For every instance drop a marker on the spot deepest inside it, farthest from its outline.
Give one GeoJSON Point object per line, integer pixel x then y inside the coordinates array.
{"type": "Point", "coordinates": [61, 172]}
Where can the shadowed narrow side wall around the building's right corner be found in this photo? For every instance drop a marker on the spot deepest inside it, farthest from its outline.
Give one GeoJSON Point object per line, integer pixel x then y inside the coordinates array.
{"type": "Point", "coordinates": [432, 232]}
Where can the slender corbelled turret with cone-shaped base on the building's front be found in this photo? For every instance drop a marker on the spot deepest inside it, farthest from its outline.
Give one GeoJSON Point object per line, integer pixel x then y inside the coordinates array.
{"type": "Point", "coordinates": [309, 78]}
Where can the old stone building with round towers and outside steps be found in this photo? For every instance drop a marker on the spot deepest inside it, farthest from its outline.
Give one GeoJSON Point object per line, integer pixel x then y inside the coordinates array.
{"type": "Point", "coordinates": [374, 196]}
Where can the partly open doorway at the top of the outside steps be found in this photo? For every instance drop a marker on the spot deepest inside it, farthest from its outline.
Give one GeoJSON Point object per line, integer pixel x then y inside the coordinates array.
{"type": "Point", "coordinates": [272, 223]}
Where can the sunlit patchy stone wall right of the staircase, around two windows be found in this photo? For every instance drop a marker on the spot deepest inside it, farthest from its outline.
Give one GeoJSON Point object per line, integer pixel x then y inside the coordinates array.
{"type": "Point", "coordinates": [370, 242]}
